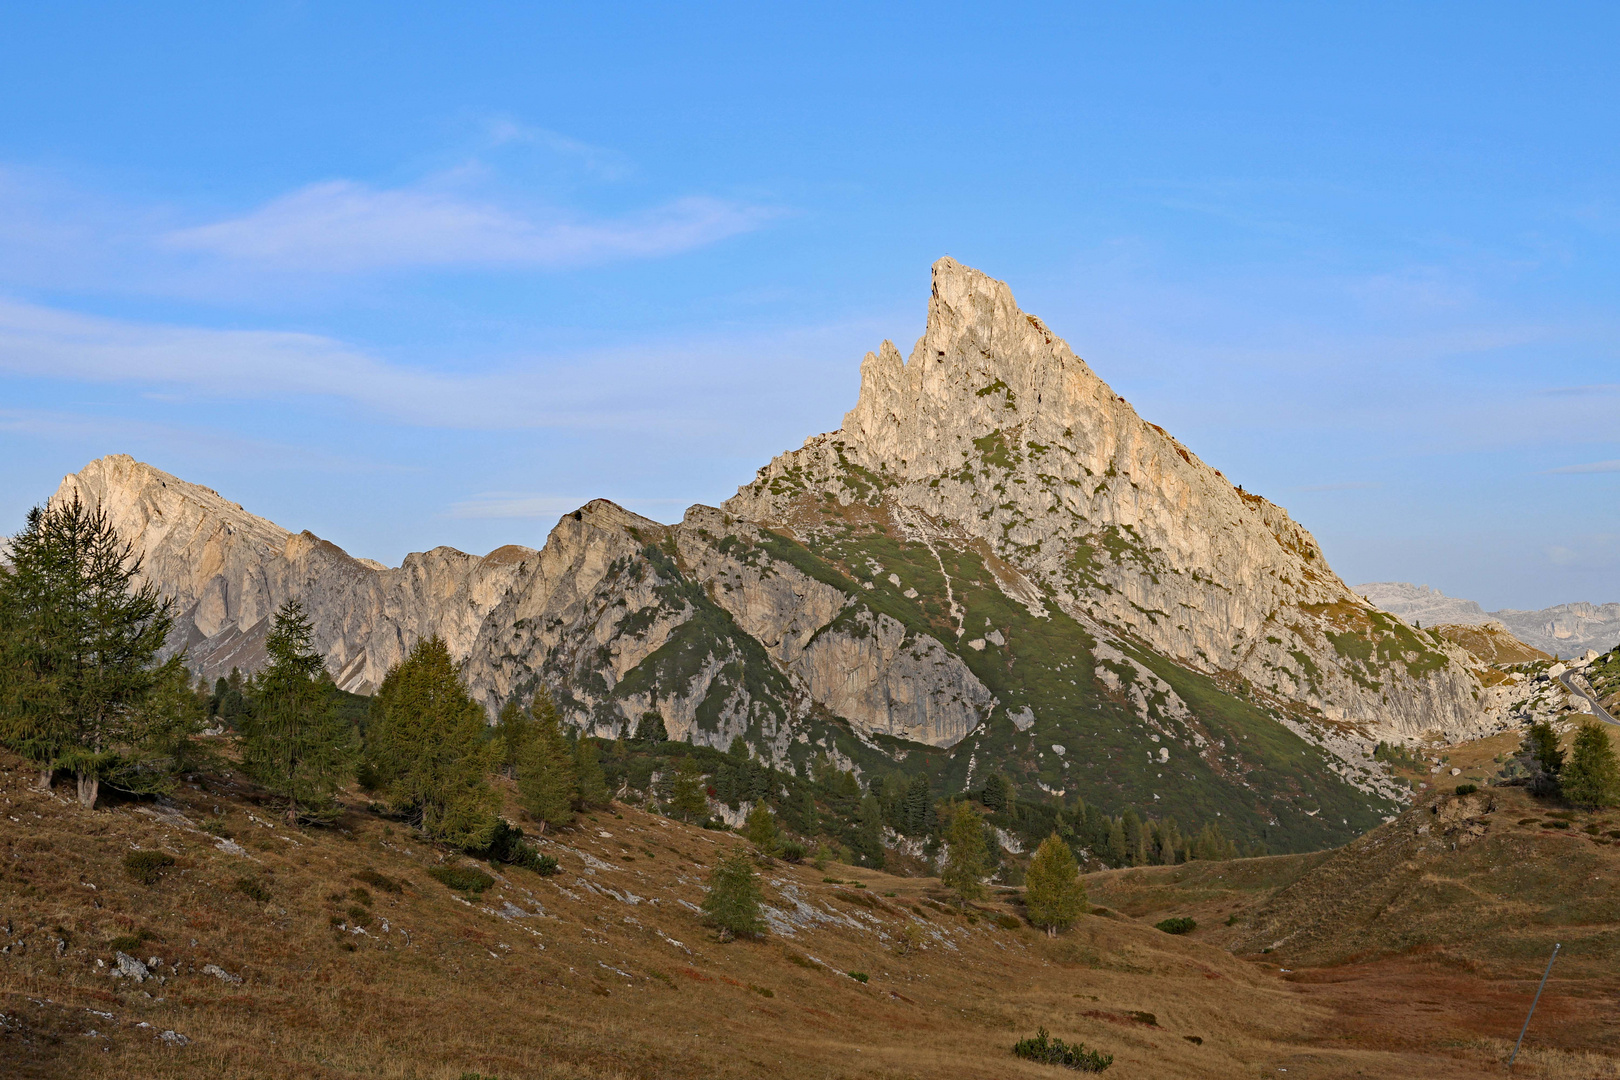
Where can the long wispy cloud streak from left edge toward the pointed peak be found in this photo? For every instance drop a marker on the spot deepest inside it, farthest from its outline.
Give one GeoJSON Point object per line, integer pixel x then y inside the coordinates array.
{"type": "Point", "coordinates": [704, 391]}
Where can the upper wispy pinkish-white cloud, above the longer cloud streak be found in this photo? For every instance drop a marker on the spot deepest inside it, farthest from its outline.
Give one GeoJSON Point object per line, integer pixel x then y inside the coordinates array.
{"type": "Point", "coordinates": [347, 226]}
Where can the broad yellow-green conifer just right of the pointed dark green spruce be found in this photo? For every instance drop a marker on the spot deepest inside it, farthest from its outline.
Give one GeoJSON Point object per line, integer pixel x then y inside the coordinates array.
{"type": "Point", "coordinates": [427, 746]}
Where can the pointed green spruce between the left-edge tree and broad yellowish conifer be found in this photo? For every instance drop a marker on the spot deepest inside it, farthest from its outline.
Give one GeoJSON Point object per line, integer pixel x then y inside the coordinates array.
{"type": "Point", "coordinates": [294, 742]}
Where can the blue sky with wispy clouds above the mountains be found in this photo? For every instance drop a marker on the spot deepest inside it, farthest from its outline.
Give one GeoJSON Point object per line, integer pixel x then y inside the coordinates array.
{"type": "Point", "coordinates": [435, 274]}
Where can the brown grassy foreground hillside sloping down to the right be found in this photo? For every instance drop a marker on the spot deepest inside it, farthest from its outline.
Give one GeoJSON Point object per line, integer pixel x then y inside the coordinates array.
{"type": "Point", "coordinates": [603, 971]}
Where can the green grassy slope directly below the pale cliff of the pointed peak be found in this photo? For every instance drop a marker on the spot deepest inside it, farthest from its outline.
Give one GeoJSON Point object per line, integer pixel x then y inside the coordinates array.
{"type": "Point", "coordinates": [1222, 759]}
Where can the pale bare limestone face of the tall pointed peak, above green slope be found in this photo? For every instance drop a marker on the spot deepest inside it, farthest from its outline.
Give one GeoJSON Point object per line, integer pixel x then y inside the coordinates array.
{"type": "Point", "coordinates": [994, 433]}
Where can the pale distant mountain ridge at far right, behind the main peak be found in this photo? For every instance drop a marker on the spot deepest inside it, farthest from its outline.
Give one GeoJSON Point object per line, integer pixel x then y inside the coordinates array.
{"type": "Point", "coordinates": [1566, 631]}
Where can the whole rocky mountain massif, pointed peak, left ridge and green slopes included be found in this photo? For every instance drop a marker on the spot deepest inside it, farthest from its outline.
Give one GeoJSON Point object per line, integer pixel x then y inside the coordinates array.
{"type": "Point", "coordinates": [994, 564]}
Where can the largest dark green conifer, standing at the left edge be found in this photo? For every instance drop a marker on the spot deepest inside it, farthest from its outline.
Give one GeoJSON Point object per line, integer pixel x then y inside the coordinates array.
{"type": "Point", "coordinates": [79, 642]}
